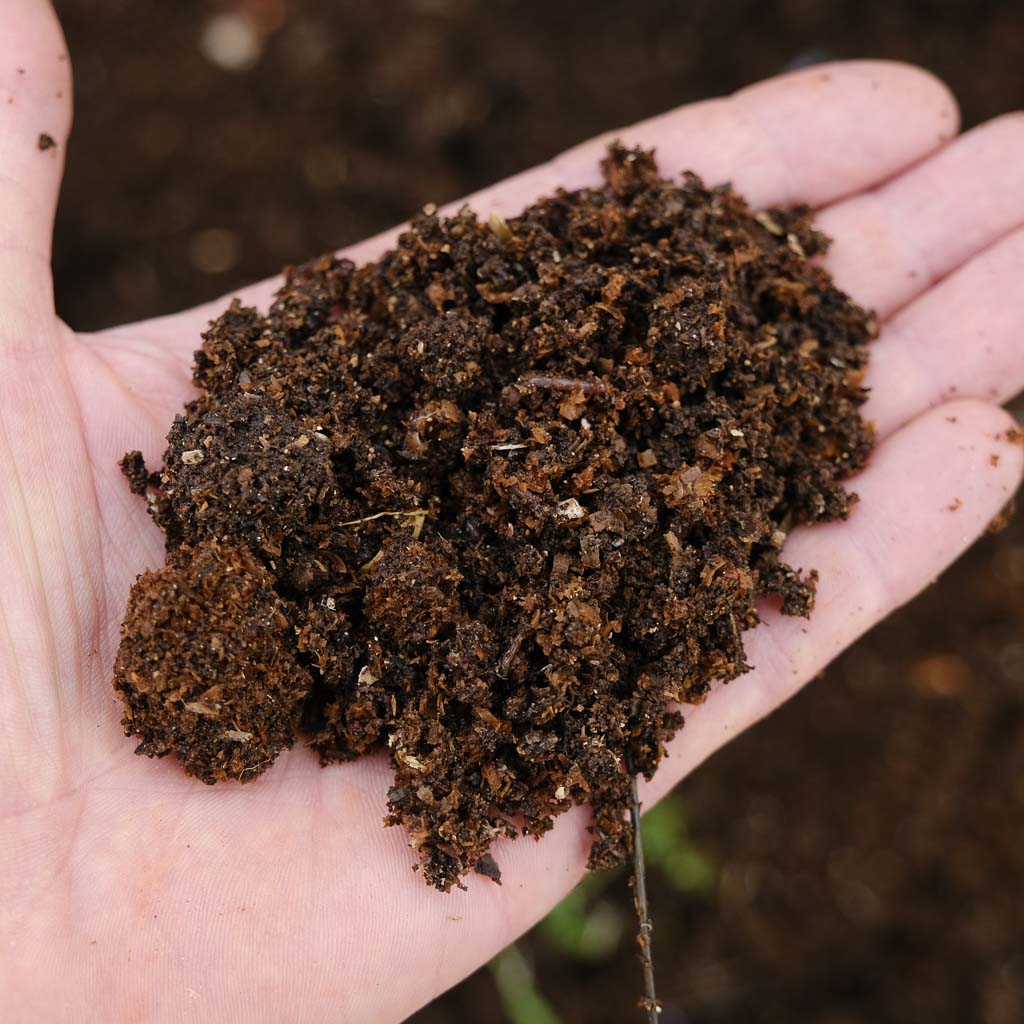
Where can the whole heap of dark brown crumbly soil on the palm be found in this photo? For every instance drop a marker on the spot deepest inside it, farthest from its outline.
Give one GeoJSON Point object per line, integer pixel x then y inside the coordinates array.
{"type": "Point", "coordinates": [502, 500]}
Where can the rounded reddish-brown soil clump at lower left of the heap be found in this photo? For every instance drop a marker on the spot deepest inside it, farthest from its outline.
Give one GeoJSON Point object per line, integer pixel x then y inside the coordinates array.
{"type": "Point", "coordinates": [210, 643]}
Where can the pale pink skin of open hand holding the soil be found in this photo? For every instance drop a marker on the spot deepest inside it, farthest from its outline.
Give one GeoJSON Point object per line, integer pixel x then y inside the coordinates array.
{"type": "Point", "coordinates": [130, 892]}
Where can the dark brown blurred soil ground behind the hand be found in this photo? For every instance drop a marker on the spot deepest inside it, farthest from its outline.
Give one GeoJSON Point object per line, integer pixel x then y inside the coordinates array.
{"type": "Point", "coordinates": [859, 858]}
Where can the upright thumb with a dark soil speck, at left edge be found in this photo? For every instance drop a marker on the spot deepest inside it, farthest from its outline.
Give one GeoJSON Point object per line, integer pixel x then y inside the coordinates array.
{"type": "Point", "coordinates": [35, 122]}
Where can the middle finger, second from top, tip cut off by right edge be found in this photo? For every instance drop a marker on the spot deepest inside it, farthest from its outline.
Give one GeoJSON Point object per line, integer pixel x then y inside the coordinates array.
{"type": "Point", "coordinates": [894, 243]}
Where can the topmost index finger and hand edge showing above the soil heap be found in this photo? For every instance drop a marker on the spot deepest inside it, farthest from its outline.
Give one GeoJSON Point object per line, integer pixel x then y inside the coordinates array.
{"type": "Point", "coordinates": [814, 136]}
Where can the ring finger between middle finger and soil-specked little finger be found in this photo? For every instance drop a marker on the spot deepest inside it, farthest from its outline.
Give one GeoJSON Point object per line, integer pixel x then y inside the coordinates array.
{"type": "Point", "coordinates": [963, 339]}
